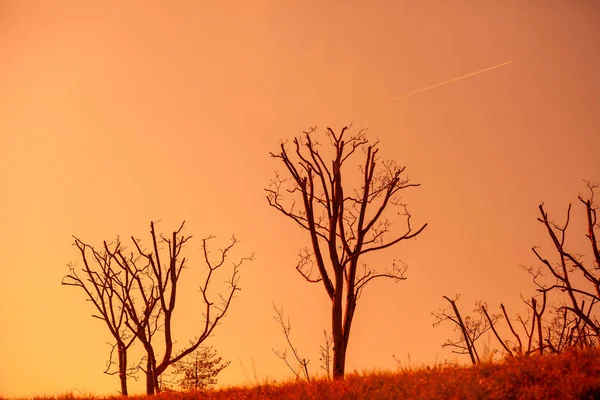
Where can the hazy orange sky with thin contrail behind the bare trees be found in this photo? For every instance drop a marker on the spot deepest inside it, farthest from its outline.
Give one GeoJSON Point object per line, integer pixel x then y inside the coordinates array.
{"type": "Point", "coordinates": [115, 114]}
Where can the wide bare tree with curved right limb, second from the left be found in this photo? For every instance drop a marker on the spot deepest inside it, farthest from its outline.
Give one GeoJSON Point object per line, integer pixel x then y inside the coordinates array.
{"type": "Point", "coordinates": [151, 280]}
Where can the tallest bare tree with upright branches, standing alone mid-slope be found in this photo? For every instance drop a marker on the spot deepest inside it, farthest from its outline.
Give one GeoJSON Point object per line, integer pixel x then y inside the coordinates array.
{"type": "Point", "coordinates": [343, 223]}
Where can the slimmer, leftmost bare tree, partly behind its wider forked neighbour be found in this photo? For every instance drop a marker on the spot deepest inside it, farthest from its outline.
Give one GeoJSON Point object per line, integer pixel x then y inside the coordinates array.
{"type": "Point", "coordinates": [105, 287]}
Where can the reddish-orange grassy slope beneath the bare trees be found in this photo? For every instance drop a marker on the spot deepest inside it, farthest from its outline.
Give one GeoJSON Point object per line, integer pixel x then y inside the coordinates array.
{"type": "Point", "coordinates": [574, 374]}
